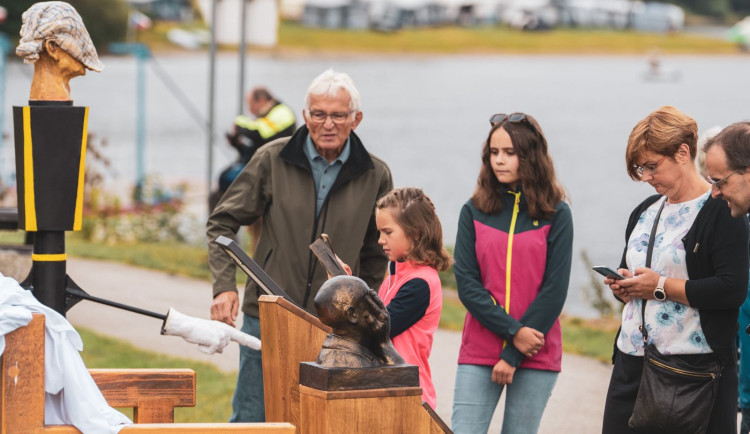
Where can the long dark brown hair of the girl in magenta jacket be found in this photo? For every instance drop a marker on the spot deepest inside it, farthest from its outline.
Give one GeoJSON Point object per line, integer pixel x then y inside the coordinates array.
{"type": "Point", "coordinates": [536, 171]}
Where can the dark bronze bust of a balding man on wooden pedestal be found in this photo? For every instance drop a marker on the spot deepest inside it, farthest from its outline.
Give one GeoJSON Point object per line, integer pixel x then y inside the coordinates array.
{"type": "Point", "coordinates": [360, 324]}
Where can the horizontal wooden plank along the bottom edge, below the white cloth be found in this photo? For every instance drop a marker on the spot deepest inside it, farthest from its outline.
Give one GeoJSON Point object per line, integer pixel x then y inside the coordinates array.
{"type": "Point", "coordinates": [187, 428]}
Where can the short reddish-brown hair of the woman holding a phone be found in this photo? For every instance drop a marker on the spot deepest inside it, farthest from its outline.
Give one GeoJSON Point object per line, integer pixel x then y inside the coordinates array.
{"type": "Point", "coordinates": [661, 132]}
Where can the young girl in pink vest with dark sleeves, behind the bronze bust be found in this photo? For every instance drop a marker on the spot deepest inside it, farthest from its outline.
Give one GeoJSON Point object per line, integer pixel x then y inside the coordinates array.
{"type": "Point", "coordinates": [412, 238]}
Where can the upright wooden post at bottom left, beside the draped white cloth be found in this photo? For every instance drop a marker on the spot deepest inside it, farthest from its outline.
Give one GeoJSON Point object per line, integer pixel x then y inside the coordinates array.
{"type": "Point", "coordinates": [22, 384]}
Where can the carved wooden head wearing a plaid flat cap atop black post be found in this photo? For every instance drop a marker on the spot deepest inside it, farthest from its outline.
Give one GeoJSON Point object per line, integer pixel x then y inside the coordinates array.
{"type": "Point", "coordinates": [54, 38]}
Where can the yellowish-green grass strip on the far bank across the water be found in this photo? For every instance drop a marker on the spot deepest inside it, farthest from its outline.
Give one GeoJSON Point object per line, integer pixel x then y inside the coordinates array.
{"type": "Point", "coordinates": [295, 38]}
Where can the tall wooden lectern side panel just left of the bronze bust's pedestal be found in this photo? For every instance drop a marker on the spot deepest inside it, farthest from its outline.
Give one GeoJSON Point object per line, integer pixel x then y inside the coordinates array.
{"type": "Point", "coordinates": [290, 335]}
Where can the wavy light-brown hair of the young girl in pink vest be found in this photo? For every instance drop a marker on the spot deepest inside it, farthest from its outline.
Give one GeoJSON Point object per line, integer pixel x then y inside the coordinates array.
{"type": "Point", "coordinates": [415, 213]}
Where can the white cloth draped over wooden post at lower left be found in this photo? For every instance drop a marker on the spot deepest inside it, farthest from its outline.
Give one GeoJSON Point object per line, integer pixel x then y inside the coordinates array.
{"type": "Point", "coordinates": [71, 395]}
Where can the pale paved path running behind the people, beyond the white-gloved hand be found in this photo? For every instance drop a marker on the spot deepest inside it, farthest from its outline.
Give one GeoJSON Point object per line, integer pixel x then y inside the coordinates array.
{"type": "Point", "coordinates": [575, 407]}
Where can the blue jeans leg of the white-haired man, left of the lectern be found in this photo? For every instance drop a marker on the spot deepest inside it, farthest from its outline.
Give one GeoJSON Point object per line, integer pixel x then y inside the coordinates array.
{"type": "Point", "coordinates": [247, 403]}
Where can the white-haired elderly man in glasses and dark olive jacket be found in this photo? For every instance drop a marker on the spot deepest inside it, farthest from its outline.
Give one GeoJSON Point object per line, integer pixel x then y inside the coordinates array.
{"type": "Point", "coordinates": [322, 179]}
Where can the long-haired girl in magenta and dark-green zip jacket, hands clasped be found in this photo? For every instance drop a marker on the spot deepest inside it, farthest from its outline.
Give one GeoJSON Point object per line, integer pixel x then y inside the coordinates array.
{"type": "Point", "coordinates": [513, 253]}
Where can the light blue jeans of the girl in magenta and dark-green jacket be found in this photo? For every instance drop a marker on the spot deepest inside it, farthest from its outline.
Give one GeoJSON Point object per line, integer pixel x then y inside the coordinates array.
{"type": "Point", "coordinates": [475, 397]}
